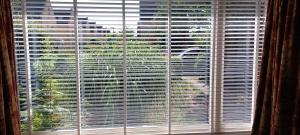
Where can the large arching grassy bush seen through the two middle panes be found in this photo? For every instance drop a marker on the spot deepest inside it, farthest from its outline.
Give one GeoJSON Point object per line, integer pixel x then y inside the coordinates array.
{"type": "Point", "coordinates": [104, 62]}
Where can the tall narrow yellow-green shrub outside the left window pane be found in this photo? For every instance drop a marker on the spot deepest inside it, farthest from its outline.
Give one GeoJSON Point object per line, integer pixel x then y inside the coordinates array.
{"type": "Point", "coordinates": [46, 109]}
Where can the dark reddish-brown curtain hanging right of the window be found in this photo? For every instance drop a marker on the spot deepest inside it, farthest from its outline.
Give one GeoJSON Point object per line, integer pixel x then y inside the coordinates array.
{"type": "Point", "coordinates": [278, 94]}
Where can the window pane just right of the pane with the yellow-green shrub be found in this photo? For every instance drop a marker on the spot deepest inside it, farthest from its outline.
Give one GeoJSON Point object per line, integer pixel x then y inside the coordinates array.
{"type": "Point", "coordinates": [101, 65]}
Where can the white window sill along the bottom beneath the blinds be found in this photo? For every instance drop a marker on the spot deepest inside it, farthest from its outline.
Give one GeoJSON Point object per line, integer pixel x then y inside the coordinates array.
{"type": "Point", "coordinates": [229, 129]}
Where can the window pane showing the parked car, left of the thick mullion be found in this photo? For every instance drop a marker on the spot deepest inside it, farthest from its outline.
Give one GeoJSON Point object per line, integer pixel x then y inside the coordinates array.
{"type": "Point", "coordinates": [190, 47]}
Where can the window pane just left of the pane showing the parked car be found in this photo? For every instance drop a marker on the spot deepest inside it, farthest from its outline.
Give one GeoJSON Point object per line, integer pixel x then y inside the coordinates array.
{"type": "Point", "coordinates": [146, 44]}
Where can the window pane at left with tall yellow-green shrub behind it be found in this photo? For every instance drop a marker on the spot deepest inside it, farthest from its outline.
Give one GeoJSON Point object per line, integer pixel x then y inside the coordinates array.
{"type": "Point", "coordinates": [51, 65]}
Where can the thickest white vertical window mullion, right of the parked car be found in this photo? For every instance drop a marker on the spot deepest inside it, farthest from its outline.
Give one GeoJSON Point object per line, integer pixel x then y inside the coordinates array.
{"type": "Point", "coordinates": [218, 65]}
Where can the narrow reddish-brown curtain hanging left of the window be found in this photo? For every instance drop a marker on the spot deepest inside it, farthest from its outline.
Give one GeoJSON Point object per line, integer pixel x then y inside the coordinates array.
{"type": "Point", "coordinates": [9, 104]}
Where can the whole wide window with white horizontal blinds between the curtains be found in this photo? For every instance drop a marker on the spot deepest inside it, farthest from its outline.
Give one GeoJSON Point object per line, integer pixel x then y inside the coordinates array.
{"type": "Point", "coordinates": [137, 66]}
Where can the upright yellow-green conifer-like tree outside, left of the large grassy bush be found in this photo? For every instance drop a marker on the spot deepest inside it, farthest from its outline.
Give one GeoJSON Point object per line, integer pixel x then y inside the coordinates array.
{"type": "Point", "coordinates": [47, 112]}
